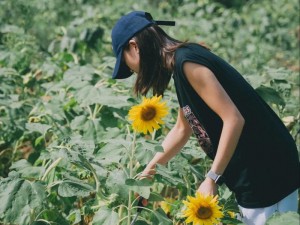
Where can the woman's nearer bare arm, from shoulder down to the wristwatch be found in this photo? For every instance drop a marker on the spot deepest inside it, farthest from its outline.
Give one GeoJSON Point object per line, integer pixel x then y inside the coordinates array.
{"type": "Point", "coordinates": [210, 90]}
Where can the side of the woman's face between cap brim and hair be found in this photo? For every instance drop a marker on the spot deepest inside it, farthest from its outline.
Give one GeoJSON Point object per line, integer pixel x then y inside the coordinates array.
{"type": "Point", "coordinates": [132, 57]}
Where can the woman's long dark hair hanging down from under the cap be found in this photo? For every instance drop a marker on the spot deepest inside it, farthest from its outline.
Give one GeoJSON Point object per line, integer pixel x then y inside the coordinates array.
{"type": "Point", "coordinates": [156, 50]}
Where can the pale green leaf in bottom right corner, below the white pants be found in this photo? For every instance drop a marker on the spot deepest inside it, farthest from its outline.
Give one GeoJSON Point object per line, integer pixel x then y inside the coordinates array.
{"type": "Point", "coordinates": [290, 218]}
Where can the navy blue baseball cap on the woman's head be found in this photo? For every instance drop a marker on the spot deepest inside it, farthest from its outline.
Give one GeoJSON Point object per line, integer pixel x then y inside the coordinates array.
{"type": "Point", "coordinates": [125, 28]}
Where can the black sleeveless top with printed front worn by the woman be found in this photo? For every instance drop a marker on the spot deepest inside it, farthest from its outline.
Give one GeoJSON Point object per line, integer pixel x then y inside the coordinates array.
{"type": "Point", "coordinates": [265, 165]}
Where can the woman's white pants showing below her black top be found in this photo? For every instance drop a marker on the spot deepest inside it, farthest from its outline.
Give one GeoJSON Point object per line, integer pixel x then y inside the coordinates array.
{"type": "Point", "coordinates": [259, 216]}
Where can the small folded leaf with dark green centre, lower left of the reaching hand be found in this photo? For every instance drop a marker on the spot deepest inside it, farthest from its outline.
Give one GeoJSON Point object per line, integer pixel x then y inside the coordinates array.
{"type": "Point", "coordinates": [70, 188]}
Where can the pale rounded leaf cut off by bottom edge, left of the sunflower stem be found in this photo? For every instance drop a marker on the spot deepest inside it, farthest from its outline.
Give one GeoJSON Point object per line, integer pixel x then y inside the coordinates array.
{"type": "Point", "coordinates": [105, 216]}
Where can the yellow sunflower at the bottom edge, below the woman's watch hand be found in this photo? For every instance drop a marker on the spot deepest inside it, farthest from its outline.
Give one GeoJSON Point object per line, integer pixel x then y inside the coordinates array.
{"type": "Point", "coordinates": [202, 210]}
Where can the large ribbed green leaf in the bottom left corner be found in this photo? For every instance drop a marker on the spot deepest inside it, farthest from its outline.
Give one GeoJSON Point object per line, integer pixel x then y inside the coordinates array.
{"type": "Point", "coordinates": [20, 199]}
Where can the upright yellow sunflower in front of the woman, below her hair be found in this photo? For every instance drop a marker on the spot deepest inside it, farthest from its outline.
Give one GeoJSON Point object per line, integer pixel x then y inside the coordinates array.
{"type": "Point", "coordinates": [148, 115]}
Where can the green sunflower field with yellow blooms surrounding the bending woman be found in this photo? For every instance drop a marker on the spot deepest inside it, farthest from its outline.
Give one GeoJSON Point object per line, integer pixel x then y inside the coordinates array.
{"type": "Point", "coordinates": [71, 151]}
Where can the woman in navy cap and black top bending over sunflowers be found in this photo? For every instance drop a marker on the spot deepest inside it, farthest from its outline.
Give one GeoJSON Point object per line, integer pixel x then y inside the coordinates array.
{"type": "Point", "coordinates": [252, 151]}
